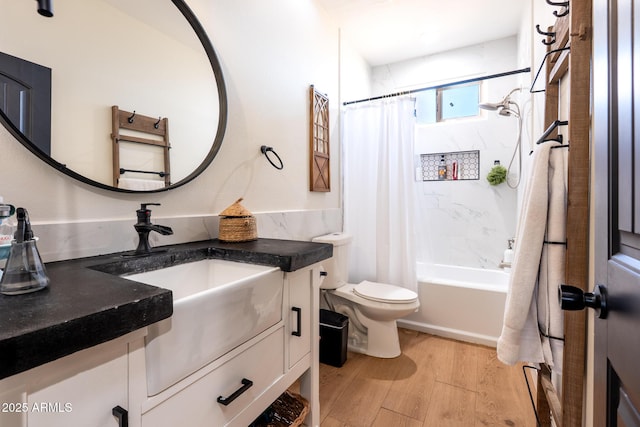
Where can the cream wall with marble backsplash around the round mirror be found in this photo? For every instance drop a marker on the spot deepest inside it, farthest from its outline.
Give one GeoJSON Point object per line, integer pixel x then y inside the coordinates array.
{"type": "Point", "coordinates": [270, 54]}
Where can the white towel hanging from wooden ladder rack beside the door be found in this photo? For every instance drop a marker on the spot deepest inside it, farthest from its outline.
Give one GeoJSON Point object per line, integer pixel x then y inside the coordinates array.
{"type": "Point", "coordinates": [538, 267]}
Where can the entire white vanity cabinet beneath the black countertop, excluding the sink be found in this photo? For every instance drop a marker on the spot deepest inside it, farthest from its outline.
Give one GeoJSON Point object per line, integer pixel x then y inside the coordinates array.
{"type": "Point", "coordinates": [82, 389]}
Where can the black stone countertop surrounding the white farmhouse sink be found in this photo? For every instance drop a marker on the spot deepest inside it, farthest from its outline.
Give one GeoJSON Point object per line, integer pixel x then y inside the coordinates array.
{"type": "Point", "coordinates": [87, 303]}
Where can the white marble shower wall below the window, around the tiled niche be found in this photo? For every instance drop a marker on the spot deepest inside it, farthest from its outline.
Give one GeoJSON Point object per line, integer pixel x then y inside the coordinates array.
{"type": "Point", "coordinates": [467, 223]}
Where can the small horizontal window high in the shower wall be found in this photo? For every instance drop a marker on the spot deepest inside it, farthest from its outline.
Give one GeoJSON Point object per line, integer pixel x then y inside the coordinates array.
{"type": "Point", "coordinates": [446, 103]}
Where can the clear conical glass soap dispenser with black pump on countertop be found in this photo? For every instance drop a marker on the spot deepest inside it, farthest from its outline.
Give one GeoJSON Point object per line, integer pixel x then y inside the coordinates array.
{"type": "Point", "coordinates": [24, 271]}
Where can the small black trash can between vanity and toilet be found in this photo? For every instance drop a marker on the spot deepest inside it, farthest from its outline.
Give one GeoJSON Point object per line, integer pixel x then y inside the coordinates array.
{"type": "Point", "coordinates": [334, 331]}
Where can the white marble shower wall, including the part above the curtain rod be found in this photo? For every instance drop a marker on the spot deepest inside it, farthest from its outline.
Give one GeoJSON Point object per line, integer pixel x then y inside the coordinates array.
{"type": "Point", "coordinates": [465, 223]}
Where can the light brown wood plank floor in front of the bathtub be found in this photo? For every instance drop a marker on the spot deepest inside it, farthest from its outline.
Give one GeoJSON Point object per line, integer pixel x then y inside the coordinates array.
{"type": "Point", "coordinates": [435, 382]}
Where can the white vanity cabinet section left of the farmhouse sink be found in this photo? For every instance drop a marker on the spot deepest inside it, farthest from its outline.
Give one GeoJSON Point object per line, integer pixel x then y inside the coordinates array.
{"type": "Point", "coordinates": [81, 389]}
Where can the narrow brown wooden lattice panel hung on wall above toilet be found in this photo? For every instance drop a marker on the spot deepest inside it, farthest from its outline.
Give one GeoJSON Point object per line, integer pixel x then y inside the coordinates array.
{"type": "Point", "coordinates": [319, 134]}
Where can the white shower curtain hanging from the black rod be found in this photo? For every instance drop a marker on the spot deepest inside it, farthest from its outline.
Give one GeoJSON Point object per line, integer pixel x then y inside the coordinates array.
{"type": "Point", "coordinates": [379, 191]}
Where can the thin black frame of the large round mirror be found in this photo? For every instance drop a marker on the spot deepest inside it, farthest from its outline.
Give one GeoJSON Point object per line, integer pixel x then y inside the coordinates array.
{"type": "Point", "coordinates": [222, 120]}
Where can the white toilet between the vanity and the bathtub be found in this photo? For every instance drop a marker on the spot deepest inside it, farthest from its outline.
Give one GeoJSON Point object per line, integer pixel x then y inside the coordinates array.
{"type": "Point", "coordinates": [372, 308]}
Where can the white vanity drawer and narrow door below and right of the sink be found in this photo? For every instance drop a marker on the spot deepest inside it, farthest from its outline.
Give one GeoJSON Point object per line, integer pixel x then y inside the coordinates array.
{"type": "Point", "coordinates": [253, 375]}
